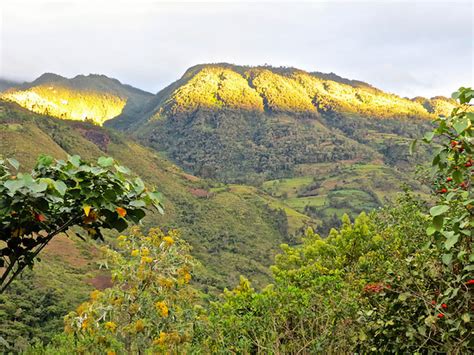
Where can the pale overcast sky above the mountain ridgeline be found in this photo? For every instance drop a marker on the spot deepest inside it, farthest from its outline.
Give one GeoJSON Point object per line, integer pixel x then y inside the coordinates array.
{"type": "Point", "coordinates": [409, 48]}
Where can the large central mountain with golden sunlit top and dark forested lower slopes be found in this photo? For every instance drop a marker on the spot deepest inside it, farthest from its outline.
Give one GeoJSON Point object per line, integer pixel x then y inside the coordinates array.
{"type": "Point", "coordinates": [247, 124]}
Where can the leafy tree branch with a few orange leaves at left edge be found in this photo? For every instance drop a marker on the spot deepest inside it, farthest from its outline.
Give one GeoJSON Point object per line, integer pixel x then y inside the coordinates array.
{"type": "Point", "coordinates": [56, 195]}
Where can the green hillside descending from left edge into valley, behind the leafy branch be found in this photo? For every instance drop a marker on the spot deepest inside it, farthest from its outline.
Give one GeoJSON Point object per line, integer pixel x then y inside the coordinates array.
{"type": "Point", "coordinates": [212, 216]}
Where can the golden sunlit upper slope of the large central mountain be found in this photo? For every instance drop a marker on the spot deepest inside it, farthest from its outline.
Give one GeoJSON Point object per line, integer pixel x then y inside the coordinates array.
{"type": "Point", "coordinates": [292, 90]}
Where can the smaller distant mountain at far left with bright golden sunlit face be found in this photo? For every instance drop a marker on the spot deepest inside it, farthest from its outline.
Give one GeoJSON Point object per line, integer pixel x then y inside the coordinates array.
{"type": "Point", "coordinates": [93, 97]}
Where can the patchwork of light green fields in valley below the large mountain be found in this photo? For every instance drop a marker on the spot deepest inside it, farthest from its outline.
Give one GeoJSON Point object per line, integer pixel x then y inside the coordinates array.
{"type": "Point", "coordinates": [325, 191]}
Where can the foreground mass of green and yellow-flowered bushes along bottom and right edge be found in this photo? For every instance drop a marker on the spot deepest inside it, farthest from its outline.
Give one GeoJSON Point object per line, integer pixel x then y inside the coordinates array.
{"type": "Point", "coordinates": [395, 281]}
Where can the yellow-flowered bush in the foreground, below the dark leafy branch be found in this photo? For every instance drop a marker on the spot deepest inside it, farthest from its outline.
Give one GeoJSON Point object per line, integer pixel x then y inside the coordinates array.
{"type": "Point", "coordinates": [150, 305]}
